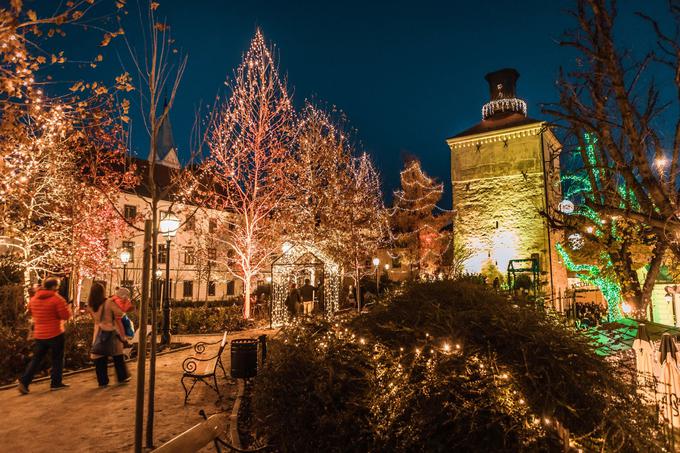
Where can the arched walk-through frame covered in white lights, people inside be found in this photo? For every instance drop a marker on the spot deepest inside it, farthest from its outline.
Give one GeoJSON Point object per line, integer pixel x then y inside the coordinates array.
{"type": "Point", "coordinates": [294, 258]}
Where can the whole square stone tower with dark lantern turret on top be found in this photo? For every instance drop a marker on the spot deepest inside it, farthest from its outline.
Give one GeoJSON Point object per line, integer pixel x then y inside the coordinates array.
{"type": "Point", "coordinates": [503, 177]}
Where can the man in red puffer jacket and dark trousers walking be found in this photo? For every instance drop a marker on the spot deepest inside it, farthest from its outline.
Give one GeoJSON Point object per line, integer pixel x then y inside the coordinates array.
{"type": "Point", "coordinates": [49, 311]}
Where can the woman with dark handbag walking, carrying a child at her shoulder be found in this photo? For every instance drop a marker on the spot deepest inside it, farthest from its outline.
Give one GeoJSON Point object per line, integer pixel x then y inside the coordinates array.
{"type": "Point", "coordinates": [107, 314]}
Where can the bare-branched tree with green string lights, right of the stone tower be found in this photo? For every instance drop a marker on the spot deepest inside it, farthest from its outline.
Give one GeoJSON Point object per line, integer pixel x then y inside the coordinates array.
{"type": "Point", "coordinates": [628, 174]}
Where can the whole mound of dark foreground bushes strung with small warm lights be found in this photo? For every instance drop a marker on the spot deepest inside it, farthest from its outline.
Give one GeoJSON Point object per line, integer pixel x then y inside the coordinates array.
{"type": "Point", "coordinates": [445, 366]}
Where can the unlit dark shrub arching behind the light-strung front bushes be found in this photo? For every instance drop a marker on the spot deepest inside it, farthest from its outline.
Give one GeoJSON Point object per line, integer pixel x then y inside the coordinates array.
{"type": "Point", "coordinates": [553, 368]}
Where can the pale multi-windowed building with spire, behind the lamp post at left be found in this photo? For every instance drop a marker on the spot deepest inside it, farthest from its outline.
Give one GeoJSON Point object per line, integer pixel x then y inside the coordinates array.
{"type": "Point", "coordinates": [195, 258]}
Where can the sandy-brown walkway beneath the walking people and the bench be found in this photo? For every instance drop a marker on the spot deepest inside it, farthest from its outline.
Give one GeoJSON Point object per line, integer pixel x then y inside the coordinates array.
{"type": "Point", "coordinates": [84, 418]}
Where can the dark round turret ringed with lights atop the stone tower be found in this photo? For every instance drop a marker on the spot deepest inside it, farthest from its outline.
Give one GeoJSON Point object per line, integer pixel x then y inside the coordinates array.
{"type": "Point", "coordinates": [503, 102]}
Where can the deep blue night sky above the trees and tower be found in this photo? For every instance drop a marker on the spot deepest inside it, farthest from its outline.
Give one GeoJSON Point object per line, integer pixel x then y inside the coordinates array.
{"type": "Point", "coordinates": [407, 74]}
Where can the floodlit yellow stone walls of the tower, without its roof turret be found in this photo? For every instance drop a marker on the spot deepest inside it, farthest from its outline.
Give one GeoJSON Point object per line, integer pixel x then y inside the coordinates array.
{"type": "Point", "coordinates": [498, 193]}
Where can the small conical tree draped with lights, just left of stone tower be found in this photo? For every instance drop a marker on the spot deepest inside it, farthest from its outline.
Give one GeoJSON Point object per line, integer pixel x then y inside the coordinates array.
{"type": "Point", "coordinates": [416, 226]}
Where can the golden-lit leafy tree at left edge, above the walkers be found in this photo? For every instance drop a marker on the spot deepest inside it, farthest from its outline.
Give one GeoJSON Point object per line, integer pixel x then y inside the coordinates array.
{"type": "Point", "coordinates": [59, 155]}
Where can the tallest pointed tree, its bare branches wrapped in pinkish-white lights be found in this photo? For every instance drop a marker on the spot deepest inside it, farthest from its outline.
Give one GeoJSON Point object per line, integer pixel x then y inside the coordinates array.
{"type": "Point", "coordinates": [249, 141]}
